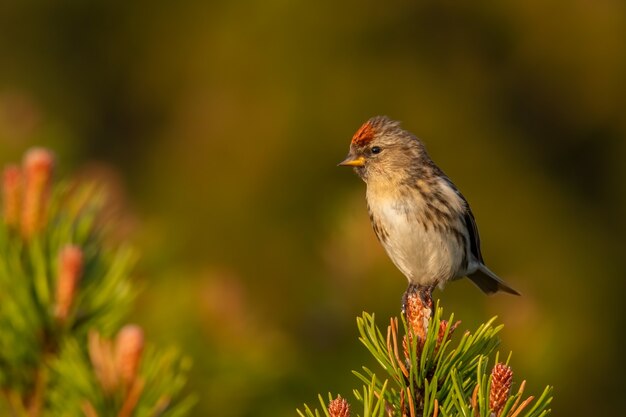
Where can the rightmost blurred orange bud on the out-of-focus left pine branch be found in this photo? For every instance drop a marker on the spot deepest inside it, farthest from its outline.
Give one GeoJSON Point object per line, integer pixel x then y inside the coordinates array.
{"type": "Point", "coordinates": [128, 350]}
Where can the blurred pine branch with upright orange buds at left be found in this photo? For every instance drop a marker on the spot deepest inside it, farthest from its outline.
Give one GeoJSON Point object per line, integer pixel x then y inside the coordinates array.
{"type": "Point", "coordinates": [64, 294]}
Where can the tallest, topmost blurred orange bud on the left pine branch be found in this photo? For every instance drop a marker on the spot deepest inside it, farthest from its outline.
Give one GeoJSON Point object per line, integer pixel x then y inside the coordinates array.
{"type": "Point", "coordinates": [38, 166]}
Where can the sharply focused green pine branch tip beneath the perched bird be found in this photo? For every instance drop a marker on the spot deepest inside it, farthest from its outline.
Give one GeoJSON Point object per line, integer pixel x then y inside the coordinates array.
{"type": "Point", "coordinates": [426, 376]}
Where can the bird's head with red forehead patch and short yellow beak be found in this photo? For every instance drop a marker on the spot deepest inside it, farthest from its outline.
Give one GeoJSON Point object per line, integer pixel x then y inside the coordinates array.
{"type": "Point", "coordinates": [382, 149]}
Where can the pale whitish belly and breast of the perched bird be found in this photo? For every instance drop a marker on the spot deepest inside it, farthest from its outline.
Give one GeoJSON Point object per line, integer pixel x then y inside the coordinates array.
{"type": "Point", "coordinates": [425, 255]}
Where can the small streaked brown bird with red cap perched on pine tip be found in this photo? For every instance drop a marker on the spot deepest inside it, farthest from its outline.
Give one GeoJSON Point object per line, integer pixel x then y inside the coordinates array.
{"type": "Point", "coordinates": [420, 217]}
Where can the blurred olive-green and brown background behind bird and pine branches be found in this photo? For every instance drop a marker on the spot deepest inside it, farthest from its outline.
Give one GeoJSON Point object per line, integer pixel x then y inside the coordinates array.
{"type": "Point", "coordinates": [218, 126]}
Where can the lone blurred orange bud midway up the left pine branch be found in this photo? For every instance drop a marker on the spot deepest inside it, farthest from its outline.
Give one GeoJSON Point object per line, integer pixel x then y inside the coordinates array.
{"type": "Point", "coordinates": [70, 272]}
